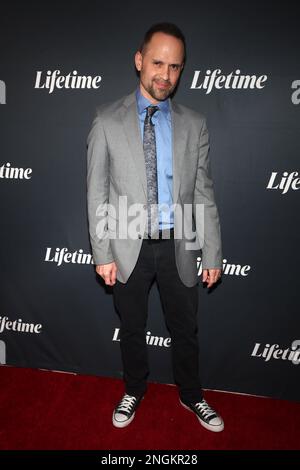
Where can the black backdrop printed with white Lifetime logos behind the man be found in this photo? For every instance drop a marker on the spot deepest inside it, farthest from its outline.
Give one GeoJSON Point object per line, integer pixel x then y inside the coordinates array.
{"type": "Point", "coordinates": [58, 63]}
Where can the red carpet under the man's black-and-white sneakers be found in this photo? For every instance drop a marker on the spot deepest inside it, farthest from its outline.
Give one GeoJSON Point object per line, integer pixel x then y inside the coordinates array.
{"type": "Point", "coordinates": [48, 410]}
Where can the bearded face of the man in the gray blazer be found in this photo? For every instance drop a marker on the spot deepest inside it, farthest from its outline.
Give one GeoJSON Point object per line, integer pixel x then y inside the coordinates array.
{"type": "Point", "coordinates": [160, 66]}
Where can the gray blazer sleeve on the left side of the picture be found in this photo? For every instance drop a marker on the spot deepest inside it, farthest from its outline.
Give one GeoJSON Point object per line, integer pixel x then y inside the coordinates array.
{"type": "Point", "coordinates": [98, 192]}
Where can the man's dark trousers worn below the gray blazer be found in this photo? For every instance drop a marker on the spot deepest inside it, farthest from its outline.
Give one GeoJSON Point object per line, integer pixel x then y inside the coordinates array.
{"type": "Point", "coordinates": [180, 305]}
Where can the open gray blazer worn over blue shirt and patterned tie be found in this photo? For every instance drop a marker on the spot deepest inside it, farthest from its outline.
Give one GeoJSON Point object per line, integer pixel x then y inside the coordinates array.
{"type": "Point", "coordinates": [116, 167]}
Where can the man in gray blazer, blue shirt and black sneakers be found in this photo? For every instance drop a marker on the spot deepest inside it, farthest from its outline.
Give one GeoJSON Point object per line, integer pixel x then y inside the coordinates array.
{"type": "Point", "coordinates": [154, 152]}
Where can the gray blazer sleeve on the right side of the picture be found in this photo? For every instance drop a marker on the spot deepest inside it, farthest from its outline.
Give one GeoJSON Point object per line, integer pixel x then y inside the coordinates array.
{"type": "Point", "coordinates": [207, 222]}
